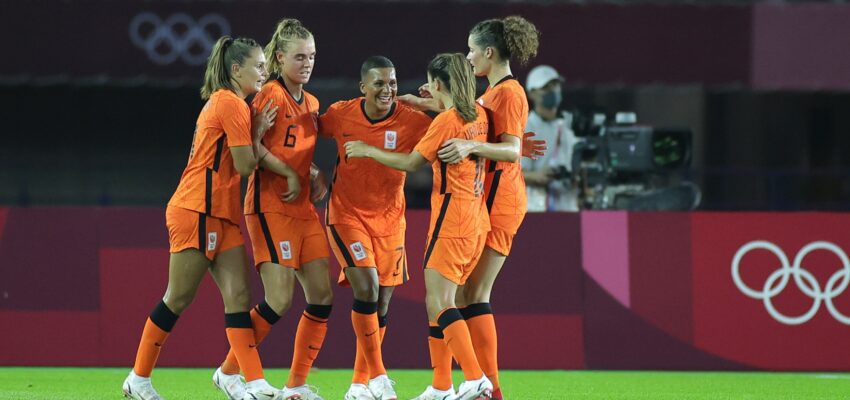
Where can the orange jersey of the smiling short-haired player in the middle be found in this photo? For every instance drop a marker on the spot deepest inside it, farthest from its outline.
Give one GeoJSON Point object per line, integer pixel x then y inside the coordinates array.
{"type": "Point", "coordinates": [364, 193]}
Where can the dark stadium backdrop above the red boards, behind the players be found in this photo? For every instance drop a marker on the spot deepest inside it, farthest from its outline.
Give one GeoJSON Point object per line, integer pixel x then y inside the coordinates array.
{"type": "Point", "coordinates": [89, 119]}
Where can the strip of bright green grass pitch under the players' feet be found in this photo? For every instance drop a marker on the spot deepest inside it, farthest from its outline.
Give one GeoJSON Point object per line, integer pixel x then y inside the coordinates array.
{"type": "Point", "coordinates": [195, 384]}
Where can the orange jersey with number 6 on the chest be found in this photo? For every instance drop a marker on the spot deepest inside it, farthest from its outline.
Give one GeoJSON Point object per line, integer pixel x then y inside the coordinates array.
{"type": "Point", "coordinates": [292, 139]}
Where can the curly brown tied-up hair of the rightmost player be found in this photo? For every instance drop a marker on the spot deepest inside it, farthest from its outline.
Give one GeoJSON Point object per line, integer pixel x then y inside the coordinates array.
{"type": "Point", "coordinates": [514, 37]}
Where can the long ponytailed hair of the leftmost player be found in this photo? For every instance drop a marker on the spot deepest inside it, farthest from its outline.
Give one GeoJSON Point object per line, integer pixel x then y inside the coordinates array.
{"type": "Point", "coordinates": [226, 52]}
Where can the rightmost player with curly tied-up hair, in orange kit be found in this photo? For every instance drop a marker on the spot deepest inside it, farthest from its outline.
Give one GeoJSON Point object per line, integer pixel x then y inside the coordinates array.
{"type": "Point", "coordinates": [493, 44]}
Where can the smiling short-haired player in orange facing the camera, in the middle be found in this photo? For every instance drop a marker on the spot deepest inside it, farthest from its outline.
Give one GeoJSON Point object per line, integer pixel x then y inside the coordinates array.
{"type": "Point", "coordinates": [365, 217]}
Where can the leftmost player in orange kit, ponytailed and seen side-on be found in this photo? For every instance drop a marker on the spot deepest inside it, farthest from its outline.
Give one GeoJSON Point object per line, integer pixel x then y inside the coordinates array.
{"type": "Point", "coordinates": [203, 215]}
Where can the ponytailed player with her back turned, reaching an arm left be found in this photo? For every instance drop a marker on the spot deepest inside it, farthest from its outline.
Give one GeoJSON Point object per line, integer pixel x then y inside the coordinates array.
{"type": "Point", "coordinates": [459, 221]}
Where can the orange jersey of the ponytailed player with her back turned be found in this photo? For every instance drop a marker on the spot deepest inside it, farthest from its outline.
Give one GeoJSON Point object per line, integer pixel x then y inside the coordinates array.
{"type": "Point", "coordinates": [457, 205]}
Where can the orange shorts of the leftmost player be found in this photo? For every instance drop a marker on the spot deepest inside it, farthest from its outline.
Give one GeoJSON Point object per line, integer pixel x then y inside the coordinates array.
{"type": "Point", "coordinates": [189, 229]}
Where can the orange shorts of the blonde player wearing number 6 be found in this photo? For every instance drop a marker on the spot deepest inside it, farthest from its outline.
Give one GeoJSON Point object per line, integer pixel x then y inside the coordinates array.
{"type": "Point", "coordinates": [287, 241]}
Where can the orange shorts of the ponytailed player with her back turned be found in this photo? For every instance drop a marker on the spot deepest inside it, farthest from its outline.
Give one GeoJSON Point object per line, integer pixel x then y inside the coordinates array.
{"type": "Point", "coordinates": [454, 258]}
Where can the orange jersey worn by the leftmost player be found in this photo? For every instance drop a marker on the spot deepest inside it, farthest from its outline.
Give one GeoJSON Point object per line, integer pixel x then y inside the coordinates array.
{"type": "Point", "coordinates": [210, 183]}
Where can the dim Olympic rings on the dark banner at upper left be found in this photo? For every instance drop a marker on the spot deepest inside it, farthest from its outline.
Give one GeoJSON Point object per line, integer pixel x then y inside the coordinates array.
{"type": "Point", "coordinates": [178, 36]}
